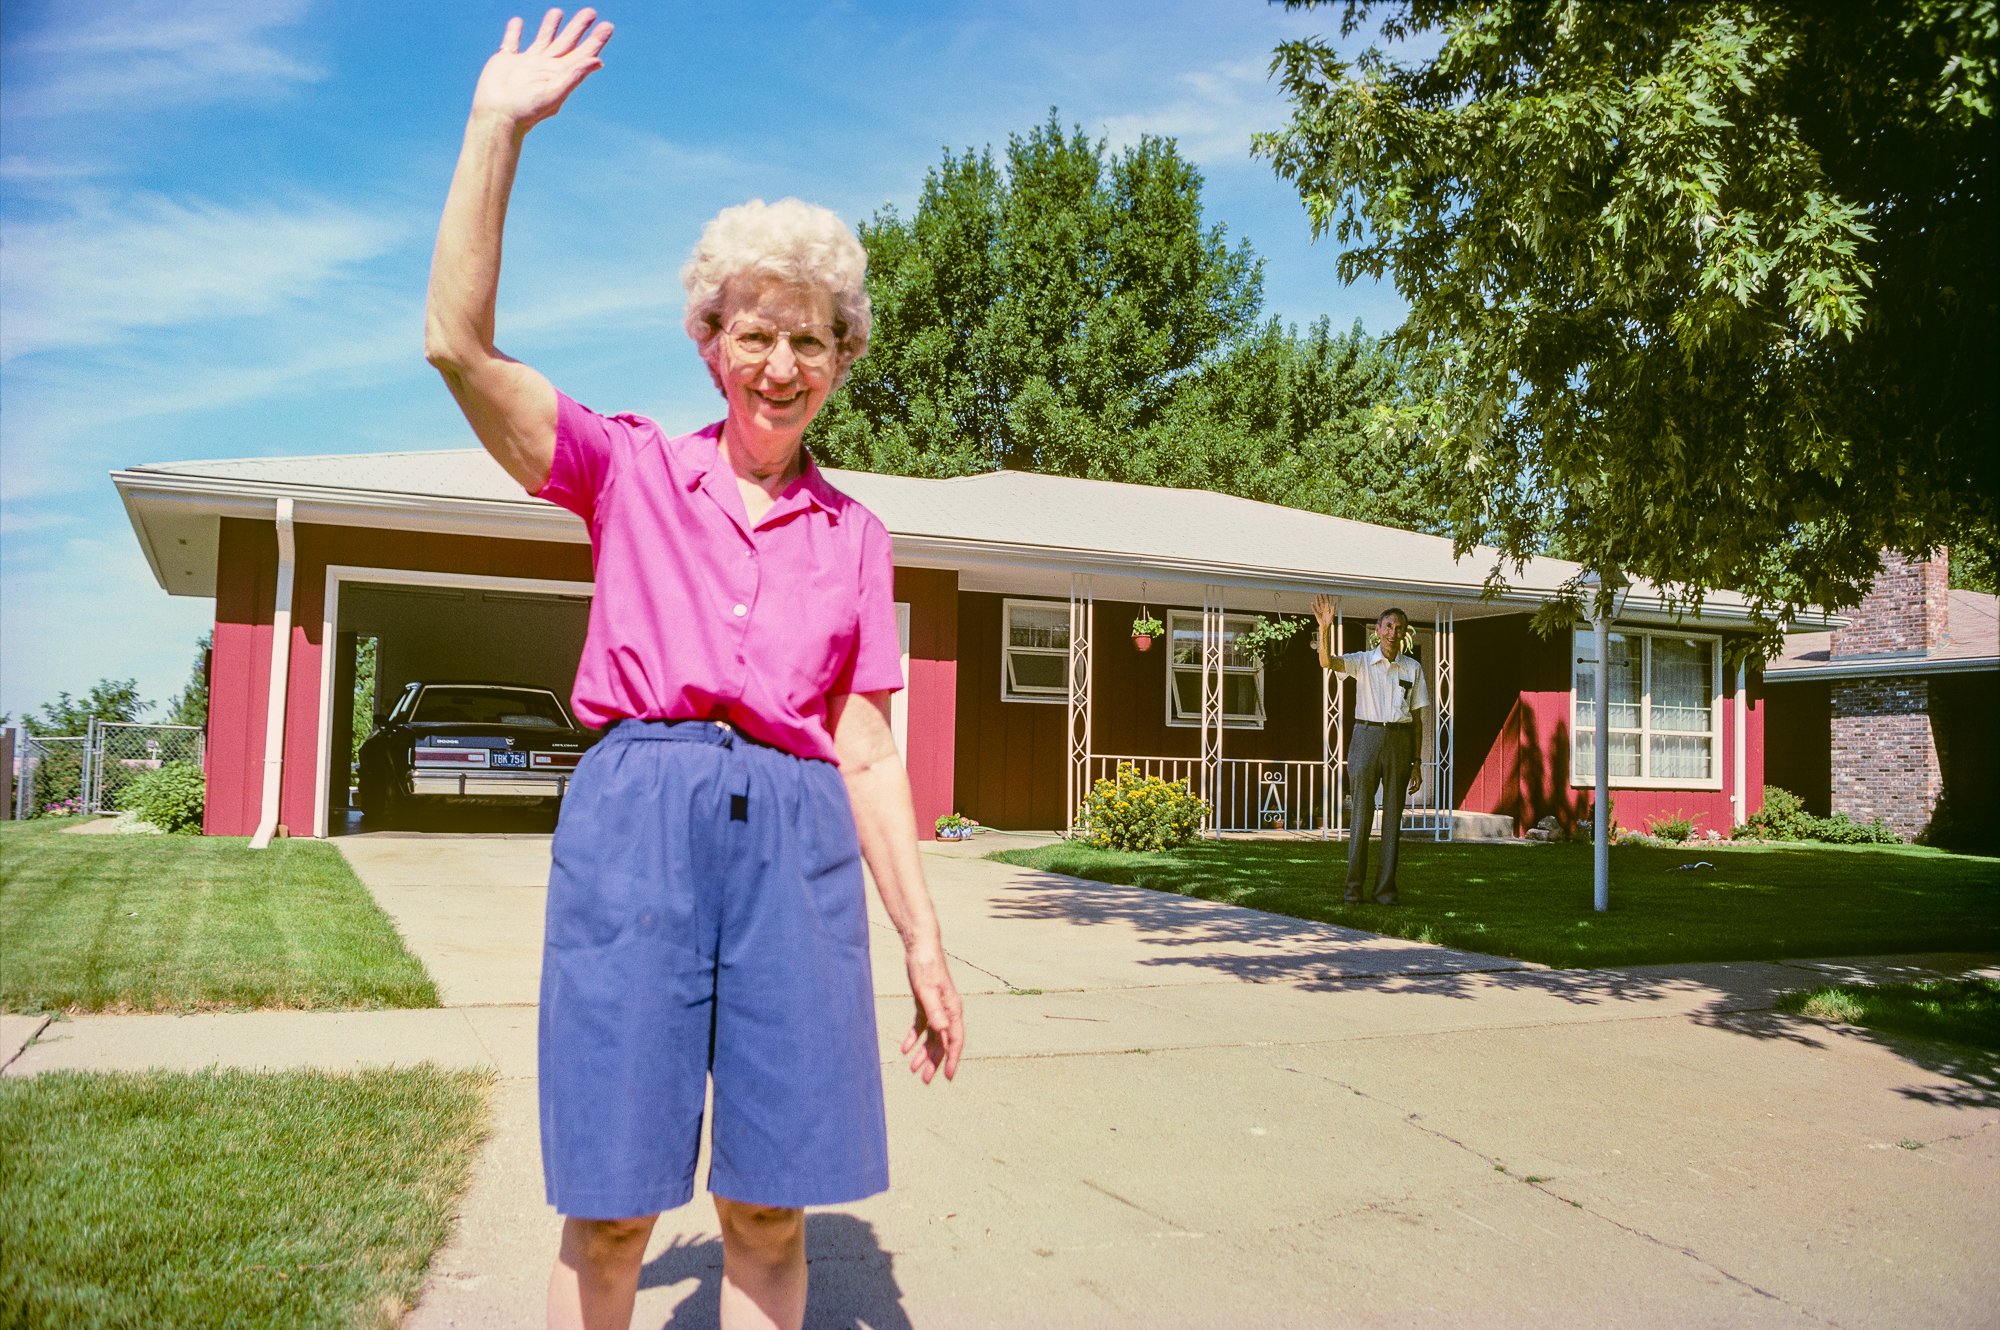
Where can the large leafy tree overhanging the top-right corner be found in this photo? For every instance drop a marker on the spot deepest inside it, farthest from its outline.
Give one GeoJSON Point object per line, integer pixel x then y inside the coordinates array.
{"type": "Point", "coordinates": [1711, 285]}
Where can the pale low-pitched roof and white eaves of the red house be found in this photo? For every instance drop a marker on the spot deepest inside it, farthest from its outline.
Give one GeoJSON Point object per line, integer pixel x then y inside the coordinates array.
{"type": "Point", "coordinates": [1119, 533]}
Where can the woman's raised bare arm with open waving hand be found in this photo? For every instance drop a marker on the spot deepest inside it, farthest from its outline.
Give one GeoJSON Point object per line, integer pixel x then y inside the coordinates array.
{"type": "Point", "coordinates": [511, 407]}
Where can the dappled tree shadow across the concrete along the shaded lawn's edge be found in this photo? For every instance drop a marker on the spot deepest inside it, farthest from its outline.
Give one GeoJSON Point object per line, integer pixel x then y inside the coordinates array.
{"type": "Point", "coordinates": [1319, 957]}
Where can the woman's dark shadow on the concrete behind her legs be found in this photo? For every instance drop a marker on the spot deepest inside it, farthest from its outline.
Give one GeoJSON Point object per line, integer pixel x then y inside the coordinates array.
{"type": "Point", "coordinates": [853, 1281]}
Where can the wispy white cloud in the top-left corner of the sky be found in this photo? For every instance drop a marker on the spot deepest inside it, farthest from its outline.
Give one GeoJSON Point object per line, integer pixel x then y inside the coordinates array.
{"type": "Point", "coordinates": [155, 55]}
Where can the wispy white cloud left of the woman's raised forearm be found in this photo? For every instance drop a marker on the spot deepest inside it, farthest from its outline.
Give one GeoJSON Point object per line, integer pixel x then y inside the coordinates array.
{"type": "Point", "coordinates": [127, 265]}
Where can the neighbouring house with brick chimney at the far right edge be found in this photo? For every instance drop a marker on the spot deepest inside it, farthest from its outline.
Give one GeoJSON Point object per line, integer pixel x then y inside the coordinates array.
{"type": "Point", "coordinates": [1895, 715]}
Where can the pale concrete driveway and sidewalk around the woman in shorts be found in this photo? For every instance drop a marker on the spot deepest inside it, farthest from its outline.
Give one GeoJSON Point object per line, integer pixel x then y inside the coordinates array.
{"type": "Point", "coordinates": [1187, 1115]}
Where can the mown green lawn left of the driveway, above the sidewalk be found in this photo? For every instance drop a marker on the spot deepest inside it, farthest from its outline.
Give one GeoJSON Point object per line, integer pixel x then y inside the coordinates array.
{"type": "Point", "coordinates": [191, 923]}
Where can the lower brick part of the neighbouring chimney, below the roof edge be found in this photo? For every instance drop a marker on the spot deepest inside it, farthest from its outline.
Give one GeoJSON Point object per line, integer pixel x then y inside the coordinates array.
{"type": "Point", "coordinates": [1885, 753]}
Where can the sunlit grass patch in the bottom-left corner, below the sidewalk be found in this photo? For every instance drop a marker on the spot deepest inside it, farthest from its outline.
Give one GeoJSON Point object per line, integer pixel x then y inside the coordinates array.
{"type": "Point", "coordinates": [229, 1199]}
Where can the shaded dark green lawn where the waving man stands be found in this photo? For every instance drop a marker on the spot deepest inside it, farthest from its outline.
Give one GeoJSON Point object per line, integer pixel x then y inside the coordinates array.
{"type": "Point", "coordinates": [1533, 901]}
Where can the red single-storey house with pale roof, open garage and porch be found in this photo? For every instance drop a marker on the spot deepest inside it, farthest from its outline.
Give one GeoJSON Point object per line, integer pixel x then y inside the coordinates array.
{"type": "Point", "coordinates": [1017, 595]}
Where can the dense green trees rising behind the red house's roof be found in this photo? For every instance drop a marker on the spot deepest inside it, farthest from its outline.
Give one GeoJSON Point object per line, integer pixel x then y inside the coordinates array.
{"type": "Point", "coordinates": [1067, 311]}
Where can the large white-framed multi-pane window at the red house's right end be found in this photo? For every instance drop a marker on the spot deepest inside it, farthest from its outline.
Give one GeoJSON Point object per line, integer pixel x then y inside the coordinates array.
{"type": "Point", "coordinates": [1665, 723]}
